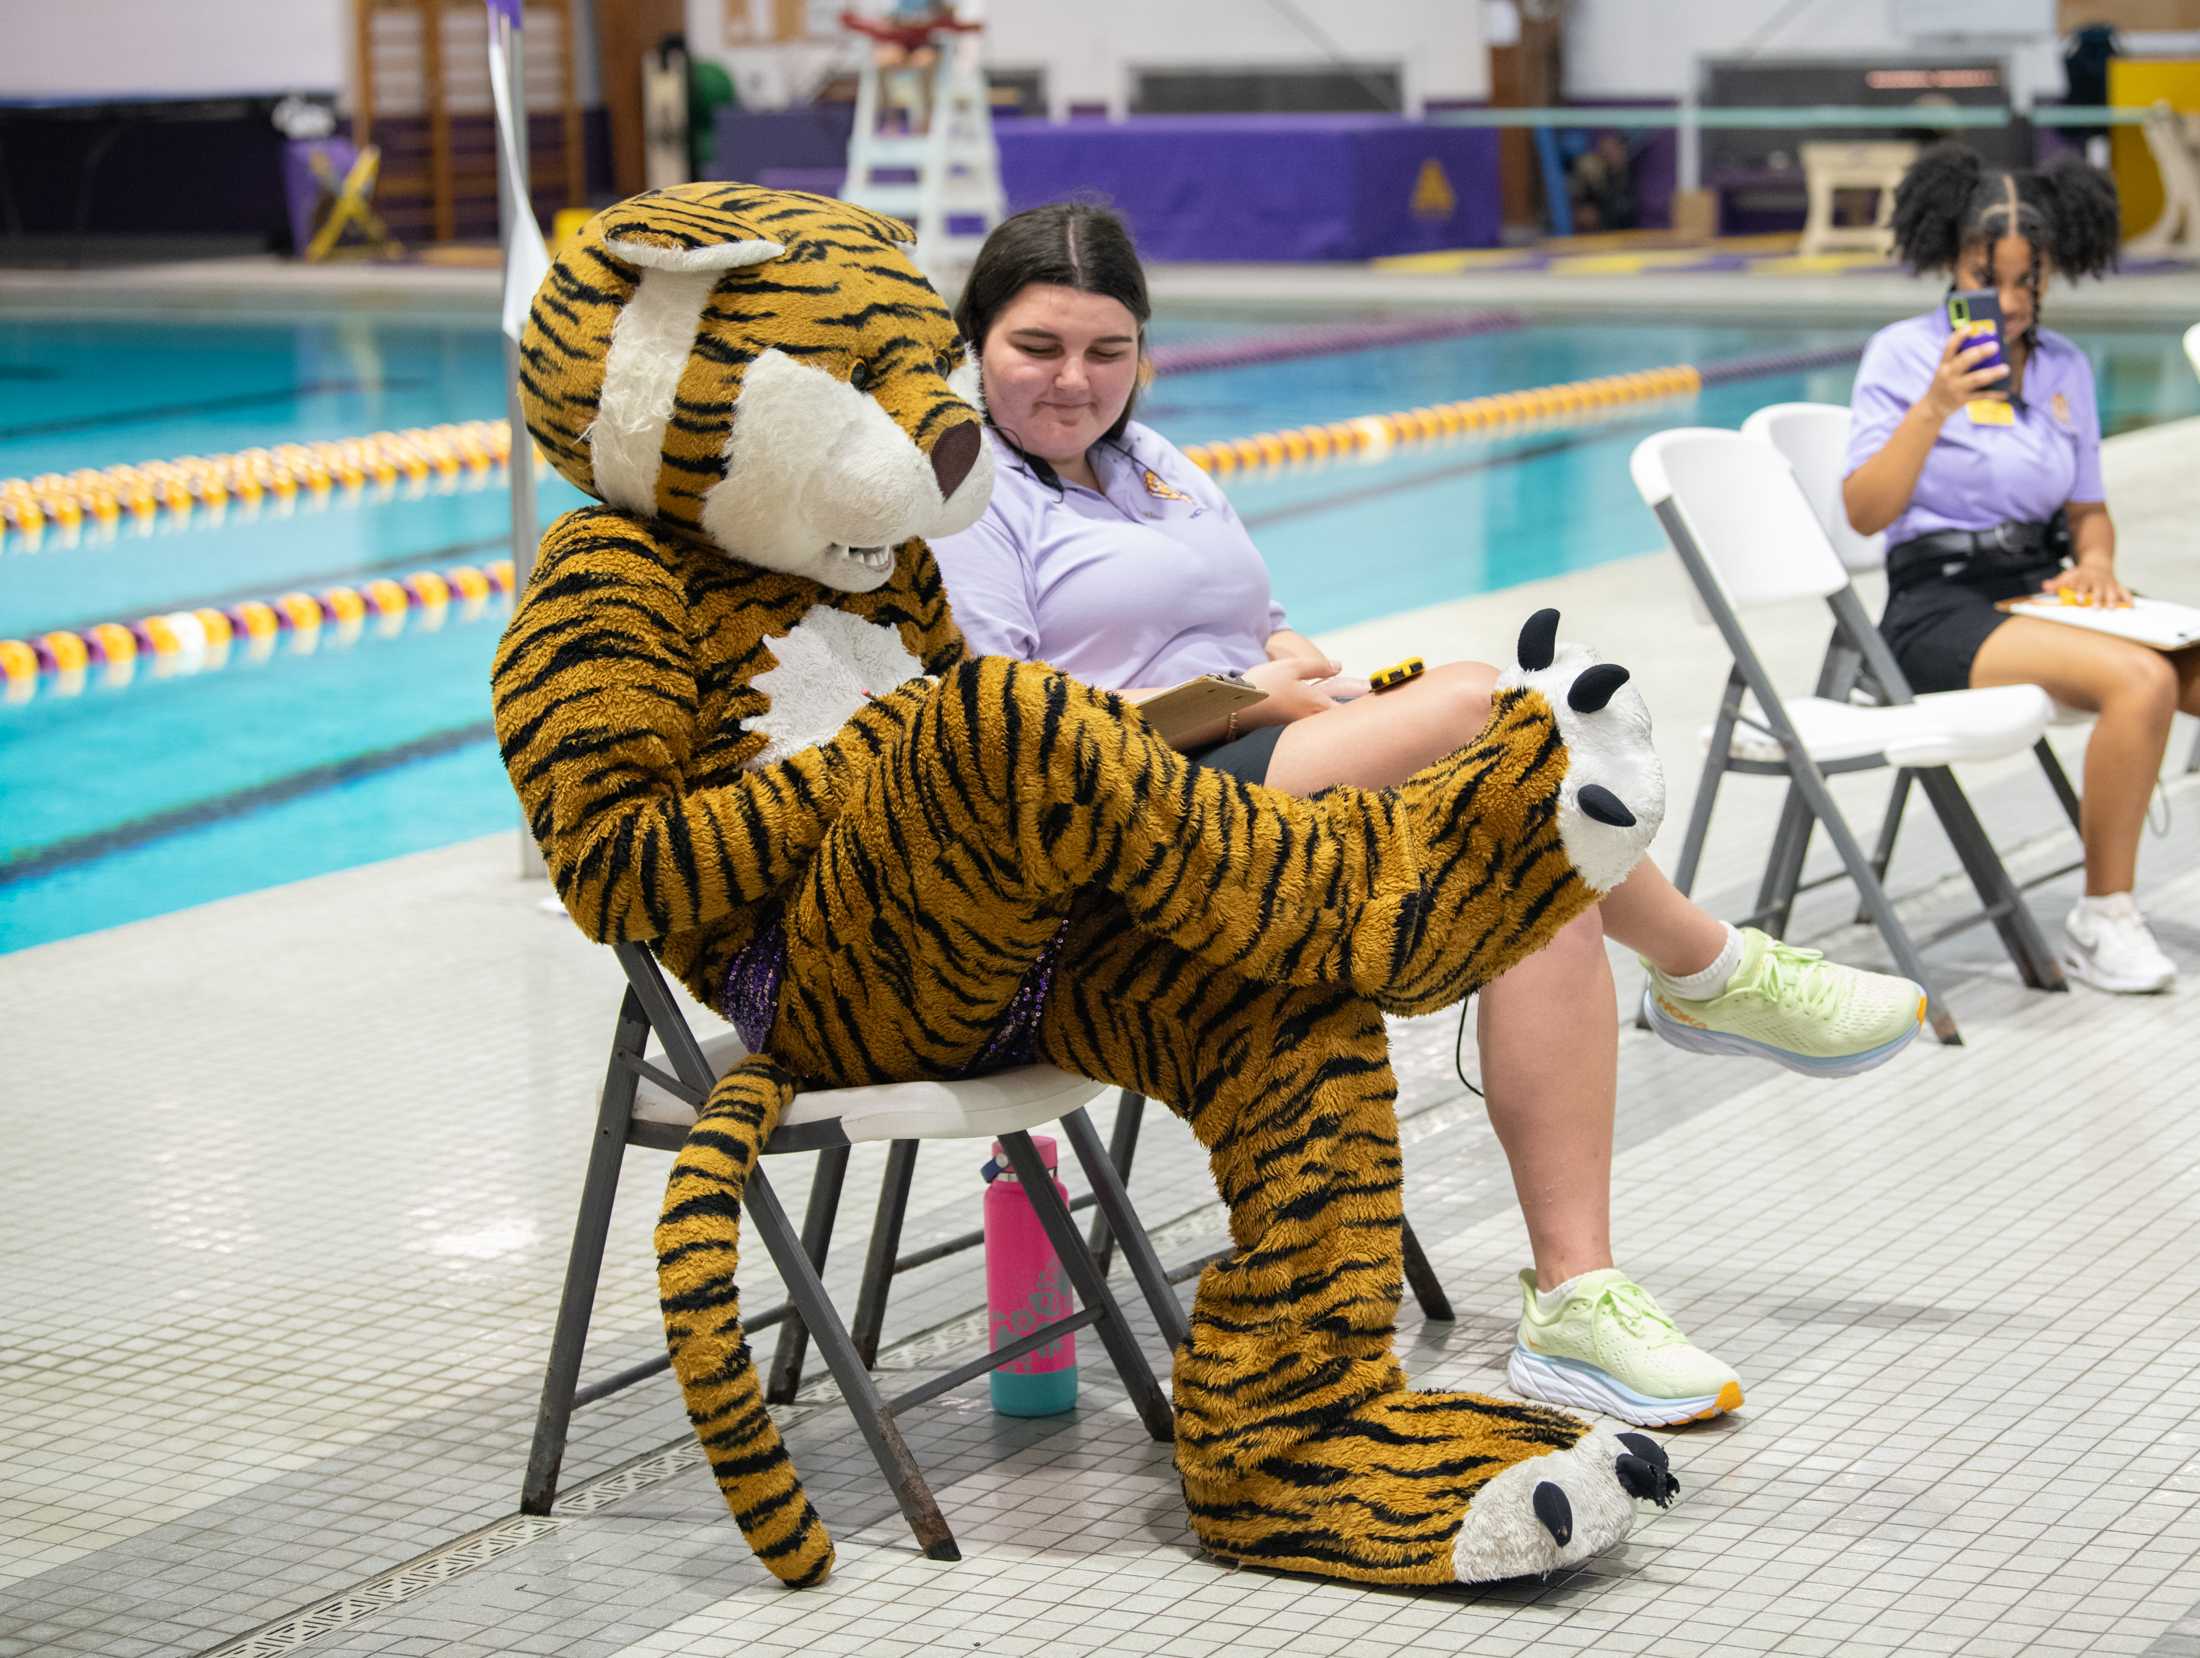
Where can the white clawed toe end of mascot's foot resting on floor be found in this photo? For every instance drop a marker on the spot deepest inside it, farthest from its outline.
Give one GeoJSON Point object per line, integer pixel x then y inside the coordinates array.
{"type": "Point", "coordinates": [1561, 1510]}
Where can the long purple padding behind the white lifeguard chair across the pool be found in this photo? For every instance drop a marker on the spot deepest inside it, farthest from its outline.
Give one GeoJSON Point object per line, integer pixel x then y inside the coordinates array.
{"type": "Point", "coordinates": [1262, 188]}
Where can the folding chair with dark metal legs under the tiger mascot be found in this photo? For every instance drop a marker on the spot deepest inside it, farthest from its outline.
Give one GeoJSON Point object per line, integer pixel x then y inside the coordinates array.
{"type": "Point", "coordinates": [646, 1105]}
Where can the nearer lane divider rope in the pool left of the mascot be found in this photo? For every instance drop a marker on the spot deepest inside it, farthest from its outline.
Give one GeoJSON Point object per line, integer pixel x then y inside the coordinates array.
{"type": "Point", "coordinates": [195, 641]}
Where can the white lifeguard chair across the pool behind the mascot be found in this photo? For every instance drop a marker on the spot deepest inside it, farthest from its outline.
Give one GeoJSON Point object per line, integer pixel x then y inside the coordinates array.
{"type": "Point", "coordinates": [945, 173]}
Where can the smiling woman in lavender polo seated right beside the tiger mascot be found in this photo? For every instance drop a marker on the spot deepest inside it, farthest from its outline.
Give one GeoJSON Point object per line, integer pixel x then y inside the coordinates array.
{"type": "Point", "coordinates": [1112, 557]}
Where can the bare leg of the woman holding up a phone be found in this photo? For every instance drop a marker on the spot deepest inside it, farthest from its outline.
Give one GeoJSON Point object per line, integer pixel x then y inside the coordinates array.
{"type": "Point", "coordinates": [2135, 692]}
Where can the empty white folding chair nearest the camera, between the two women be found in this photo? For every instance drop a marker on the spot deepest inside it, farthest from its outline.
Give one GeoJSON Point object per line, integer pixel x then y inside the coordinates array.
{"type": "Point", "coordinates": [1746, 533]}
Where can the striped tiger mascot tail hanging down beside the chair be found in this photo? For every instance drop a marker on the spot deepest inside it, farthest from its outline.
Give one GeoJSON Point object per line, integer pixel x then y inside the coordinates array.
{"type": "Point", "coordinates": [698, 1248]}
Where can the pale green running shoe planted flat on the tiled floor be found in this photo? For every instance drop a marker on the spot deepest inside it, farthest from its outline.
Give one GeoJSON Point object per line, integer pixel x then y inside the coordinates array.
{"type": "Point", "coordinates": [1611, 1349]}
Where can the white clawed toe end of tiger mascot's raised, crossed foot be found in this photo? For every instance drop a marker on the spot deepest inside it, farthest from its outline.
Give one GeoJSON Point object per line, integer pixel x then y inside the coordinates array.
{"type": "Point", "coordinates": [1614, 799]}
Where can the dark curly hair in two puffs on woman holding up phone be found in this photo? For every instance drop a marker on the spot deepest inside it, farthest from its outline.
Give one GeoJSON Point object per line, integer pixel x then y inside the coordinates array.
{"type": "Point", "coordinates": [1950, 201]}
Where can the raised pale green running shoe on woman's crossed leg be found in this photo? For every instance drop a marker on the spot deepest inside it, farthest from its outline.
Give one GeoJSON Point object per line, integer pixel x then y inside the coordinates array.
{"type": "Point", "coordinates": [1794, 1008]}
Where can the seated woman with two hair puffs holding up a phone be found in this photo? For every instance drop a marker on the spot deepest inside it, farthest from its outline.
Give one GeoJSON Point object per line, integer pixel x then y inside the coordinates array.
{"type": "Point", "coordinates": [1974, 441]}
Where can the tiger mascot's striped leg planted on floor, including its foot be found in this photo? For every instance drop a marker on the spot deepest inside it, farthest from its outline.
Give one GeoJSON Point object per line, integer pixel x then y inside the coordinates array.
{"type": "Point", "coordinates": [1299, 1444]}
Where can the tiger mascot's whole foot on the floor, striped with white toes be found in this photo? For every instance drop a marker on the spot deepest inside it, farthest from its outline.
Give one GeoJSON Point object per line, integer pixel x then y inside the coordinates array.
{"type": "Point", "coordinates": [1433, 1488]}
